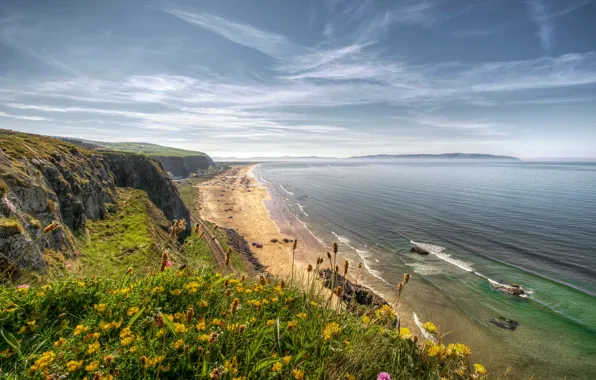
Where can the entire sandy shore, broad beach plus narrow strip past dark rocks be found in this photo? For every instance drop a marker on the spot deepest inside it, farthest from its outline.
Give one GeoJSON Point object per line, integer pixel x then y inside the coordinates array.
{"type": "Point", "coordinates": [257, 212]}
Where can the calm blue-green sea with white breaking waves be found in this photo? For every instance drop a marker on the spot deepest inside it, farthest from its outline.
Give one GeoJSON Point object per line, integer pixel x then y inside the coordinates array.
{"type": "Point", "coordinates": [532, 224]}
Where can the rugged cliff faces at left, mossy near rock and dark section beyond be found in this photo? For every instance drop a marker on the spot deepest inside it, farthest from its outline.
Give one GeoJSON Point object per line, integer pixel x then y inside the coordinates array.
{"type": "Point", "coordinates": [43, 179]}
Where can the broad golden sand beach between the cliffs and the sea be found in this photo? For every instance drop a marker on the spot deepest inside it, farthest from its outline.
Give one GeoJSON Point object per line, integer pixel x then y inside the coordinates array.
{"type": "Point", "coordinates": [236, 200]}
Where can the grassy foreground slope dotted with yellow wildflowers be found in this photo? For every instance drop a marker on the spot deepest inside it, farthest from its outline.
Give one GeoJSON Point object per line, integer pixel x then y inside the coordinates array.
{"type": "Point", "coordinates": [183, 324]}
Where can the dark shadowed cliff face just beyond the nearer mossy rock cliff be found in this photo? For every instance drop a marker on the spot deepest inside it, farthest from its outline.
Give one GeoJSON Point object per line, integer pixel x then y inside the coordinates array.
{"type": "Point", "coordinates": [144, 173]}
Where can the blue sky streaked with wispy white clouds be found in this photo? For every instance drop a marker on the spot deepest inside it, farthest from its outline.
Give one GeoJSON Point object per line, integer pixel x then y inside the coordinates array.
{"type": "Point", "coordinates": [329, 77]}
